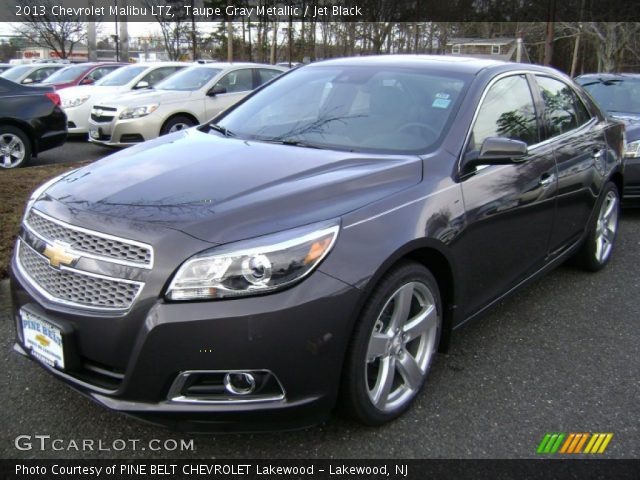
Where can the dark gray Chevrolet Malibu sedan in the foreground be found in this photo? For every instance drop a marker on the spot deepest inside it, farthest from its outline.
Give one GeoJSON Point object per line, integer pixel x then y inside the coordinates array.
{"type": "Point", "coordinates": [317, 243]}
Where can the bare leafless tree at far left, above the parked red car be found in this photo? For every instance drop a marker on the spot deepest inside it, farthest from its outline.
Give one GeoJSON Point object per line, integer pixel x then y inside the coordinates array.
{"type": "Point", "coordinates": [48, 31]}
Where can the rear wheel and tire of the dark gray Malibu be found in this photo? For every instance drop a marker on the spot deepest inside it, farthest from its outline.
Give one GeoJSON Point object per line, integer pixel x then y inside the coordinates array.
{"type": "Point", "coordinates": [597, 248]}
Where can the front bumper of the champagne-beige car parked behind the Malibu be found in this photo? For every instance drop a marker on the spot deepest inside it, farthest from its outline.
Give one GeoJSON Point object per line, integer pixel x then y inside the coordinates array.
{"type": "Point", "coordinates": [123, 133]}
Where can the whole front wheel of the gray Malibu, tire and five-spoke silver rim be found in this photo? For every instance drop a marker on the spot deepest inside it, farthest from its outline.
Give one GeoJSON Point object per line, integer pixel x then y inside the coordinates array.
{"type": "Point", "coordinates": [389, 341]}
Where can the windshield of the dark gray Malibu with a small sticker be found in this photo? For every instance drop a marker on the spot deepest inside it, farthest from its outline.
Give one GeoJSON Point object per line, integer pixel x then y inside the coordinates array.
{"type": "Point", "coordinates": [384, 109]}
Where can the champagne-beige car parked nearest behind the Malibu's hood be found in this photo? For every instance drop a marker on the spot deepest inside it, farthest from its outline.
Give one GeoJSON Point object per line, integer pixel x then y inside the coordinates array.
{"type": "Point", "coordinates": [181, 101]}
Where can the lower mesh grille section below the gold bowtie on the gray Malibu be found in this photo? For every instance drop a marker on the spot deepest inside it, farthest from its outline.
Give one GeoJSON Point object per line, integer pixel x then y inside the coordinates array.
{"type": "Point", "coordinates": [76, 287]}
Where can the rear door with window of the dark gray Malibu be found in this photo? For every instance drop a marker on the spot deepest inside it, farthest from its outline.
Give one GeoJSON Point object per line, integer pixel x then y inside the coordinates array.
{"type": "Point", "coordinates": [578, 141]}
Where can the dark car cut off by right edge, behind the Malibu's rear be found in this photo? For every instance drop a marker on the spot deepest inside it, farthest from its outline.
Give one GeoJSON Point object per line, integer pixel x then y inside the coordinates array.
{"type": "Point", "coordinates": [618, 94]}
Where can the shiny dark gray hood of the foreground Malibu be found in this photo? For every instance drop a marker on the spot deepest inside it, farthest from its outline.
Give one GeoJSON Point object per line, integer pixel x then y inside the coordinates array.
{"type": "Point", "coordinates": [222, 189]}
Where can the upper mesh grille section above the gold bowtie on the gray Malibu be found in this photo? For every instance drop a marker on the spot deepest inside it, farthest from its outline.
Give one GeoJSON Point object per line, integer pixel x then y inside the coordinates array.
{"type": "Point", "coordinates": [94, 243]}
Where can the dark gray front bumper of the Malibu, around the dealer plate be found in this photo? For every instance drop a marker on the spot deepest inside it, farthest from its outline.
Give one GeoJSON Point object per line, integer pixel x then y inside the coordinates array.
{"type": "Point", "coordinates": [300, 335]}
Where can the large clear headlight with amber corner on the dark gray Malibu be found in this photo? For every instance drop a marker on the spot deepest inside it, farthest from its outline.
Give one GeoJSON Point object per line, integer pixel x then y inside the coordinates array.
{"type": "Point", "coordinates": [253, 267]}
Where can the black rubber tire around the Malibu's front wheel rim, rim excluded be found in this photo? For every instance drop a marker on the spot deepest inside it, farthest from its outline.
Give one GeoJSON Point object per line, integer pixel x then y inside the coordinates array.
{"type": "Point", "coordinates": [355, 398]}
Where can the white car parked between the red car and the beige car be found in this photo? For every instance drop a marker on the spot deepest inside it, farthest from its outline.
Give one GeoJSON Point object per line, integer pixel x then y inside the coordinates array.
{"type": "Point", "coordinates": [78, 101]}
